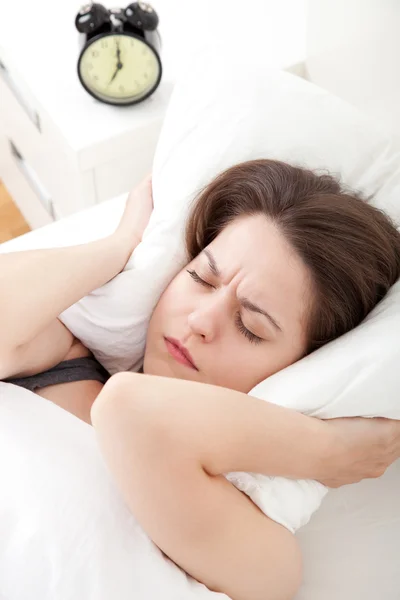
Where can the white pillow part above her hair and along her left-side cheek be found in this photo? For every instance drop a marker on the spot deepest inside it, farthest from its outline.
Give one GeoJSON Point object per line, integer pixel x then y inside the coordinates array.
{"type": "Point", "coordinates": [237, 116]}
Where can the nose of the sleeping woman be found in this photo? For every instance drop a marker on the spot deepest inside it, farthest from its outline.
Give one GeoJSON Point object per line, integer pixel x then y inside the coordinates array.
{"type": "Point", "coordinates": [206, 320]}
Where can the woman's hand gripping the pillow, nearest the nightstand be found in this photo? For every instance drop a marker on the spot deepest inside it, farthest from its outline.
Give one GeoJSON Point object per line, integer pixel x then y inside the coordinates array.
{"type": "Point", "coordinates": [138, 209]}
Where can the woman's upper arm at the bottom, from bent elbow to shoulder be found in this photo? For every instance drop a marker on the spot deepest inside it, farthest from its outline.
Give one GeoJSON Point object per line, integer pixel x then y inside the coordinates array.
{"type": "Point", "coordinates": [201, 522]}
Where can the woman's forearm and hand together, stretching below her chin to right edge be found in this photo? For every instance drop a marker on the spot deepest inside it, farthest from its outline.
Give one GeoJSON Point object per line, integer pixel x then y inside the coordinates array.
{"type": "Point", "coordinates": [230, 431]}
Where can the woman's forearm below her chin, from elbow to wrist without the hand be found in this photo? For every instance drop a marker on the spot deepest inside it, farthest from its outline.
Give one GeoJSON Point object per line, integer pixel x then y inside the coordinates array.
{"type": "Point", "coordinates": [230, 431]}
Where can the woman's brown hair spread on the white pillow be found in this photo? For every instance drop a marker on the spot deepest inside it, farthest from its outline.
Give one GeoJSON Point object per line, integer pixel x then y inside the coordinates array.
{"type": "Point", "coordinates": [351, 248]}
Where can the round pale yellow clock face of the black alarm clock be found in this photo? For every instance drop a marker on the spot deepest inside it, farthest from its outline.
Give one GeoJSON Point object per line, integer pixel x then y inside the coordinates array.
{"type": "Point", "coordinates": [119, 68]}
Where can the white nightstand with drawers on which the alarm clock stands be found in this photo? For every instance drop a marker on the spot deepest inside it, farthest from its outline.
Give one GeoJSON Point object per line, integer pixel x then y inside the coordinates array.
{"type": "Point", "coordinates": [62, 151]}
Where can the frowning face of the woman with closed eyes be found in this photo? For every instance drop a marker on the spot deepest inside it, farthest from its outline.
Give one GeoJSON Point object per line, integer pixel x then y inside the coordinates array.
{"type": "Point", "coordinates": [239, 309]}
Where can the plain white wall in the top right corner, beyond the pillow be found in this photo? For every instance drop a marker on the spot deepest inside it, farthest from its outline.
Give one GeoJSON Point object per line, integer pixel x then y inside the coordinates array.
{"type": "Point", "coordinates": [353, 49]}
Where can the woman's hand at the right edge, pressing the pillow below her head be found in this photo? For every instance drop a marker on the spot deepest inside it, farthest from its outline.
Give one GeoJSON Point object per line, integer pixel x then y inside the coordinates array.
{"type": "Point", "coordinates": [365, 449]}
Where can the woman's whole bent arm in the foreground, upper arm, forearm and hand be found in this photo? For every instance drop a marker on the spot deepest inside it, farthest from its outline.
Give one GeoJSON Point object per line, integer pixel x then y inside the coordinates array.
{"type": "Point", "coordinates": [166, 441]}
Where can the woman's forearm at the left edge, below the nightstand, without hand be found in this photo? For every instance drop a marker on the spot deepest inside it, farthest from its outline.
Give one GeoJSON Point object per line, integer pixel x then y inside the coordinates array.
{"type": "Point", "coordinates": [37, 285]}
